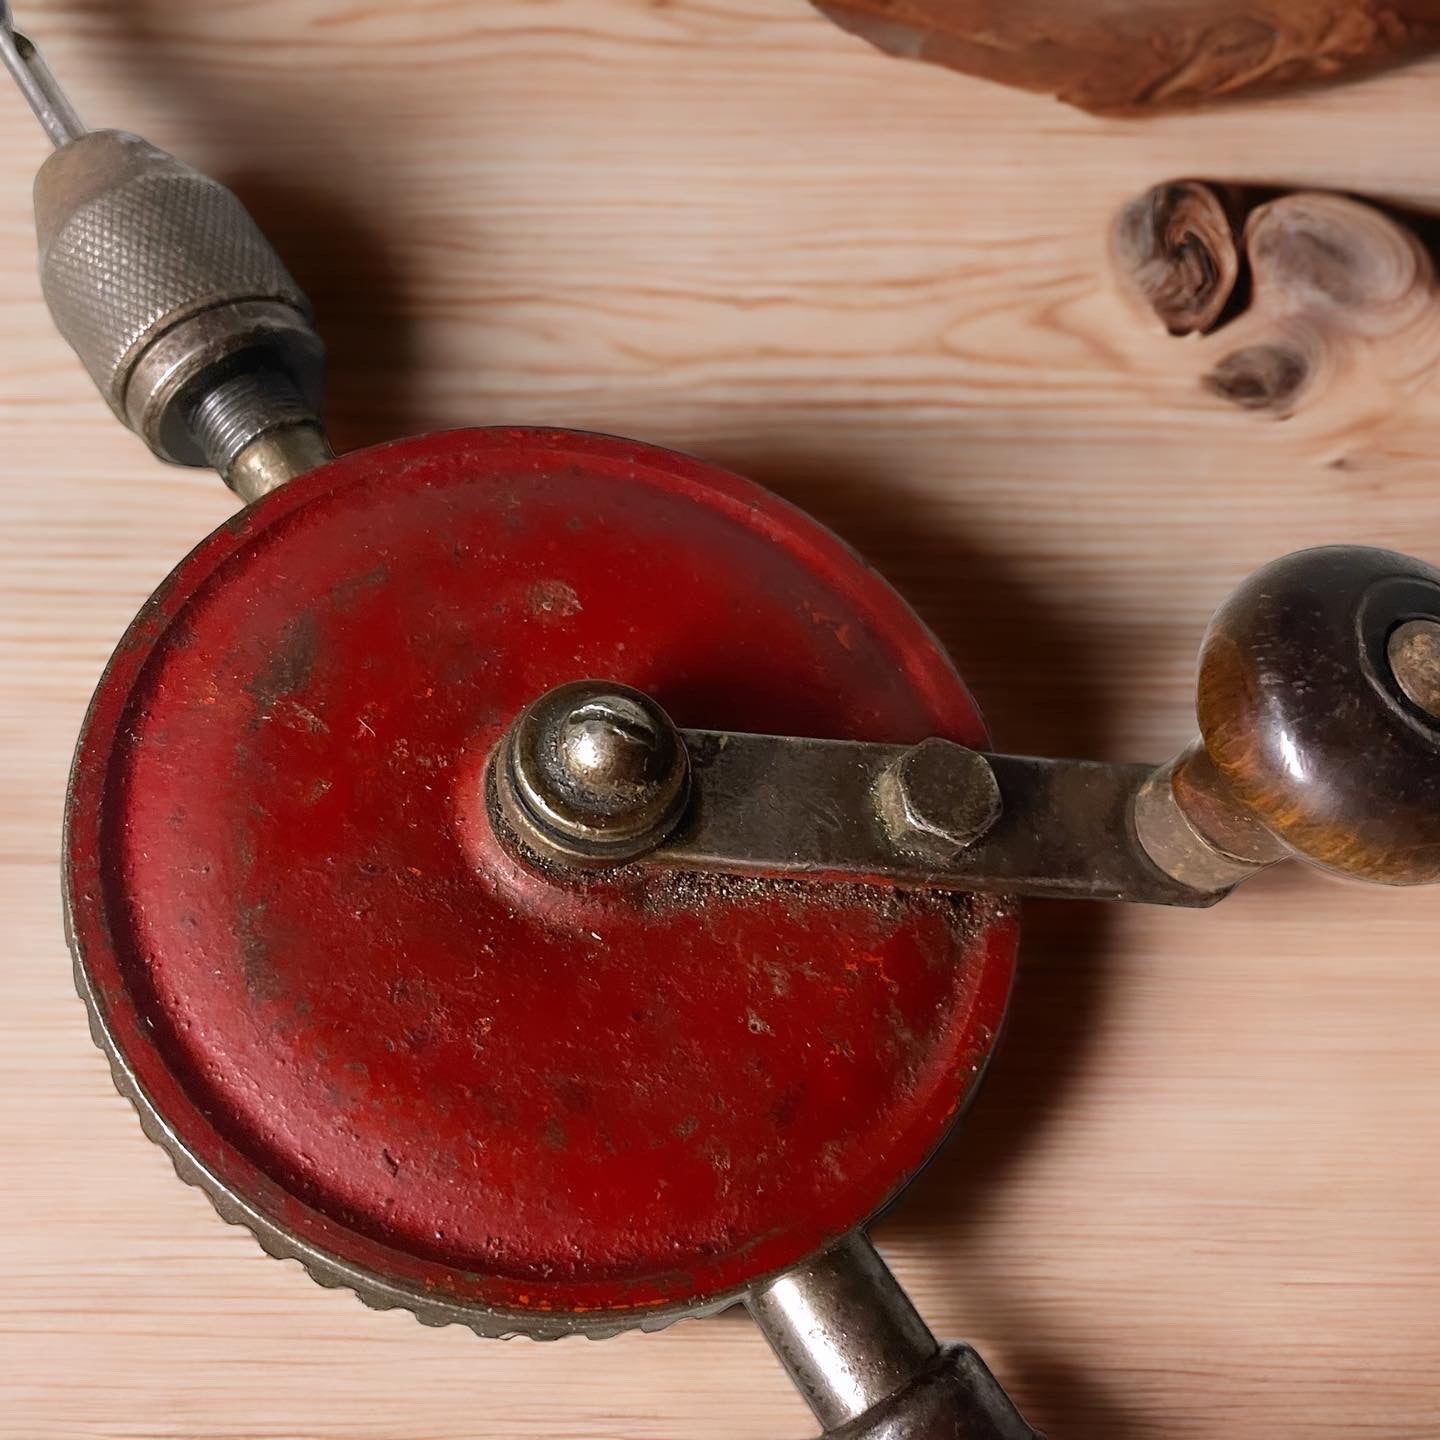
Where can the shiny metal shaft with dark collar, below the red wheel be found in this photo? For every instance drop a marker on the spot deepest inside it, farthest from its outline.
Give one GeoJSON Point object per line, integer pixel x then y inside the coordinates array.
{"type": "Point", "coordinates": [868, 1364]}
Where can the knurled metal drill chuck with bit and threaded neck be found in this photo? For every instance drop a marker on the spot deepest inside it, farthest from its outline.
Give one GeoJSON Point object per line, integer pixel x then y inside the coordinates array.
{"type": "Point", "coordinates": [163, 284]}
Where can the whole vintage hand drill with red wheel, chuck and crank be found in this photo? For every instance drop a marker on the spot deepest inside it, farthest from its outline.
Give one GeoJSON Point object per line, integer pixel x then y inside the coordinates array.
{"type": "Point", "coordinates": [585, 862]}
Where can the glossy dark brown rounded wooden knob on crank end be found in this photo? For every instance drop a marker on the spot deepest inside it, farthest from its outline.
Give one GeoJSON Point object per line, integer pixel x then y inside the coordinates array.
{"type": "Point", "coordinates": [1320, 709]}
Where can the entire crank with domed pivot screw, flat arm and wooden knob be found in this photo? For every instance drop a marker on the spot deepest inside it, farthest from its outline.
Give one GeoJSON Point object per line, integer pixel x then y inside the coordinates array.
{"type": "Point", "coordinates": [1320, 739]}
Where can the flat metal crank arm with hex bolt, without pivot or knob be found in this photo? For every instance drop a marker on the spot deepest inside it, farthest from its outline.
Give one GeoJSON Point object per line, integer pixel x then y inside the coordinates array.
{"type": "Point", "coordinates": [908, 817]}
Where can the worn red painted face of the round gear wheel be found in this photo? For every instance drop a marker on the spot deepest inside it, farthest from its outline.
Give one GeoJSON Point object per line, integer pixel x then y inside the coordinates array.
{"type": "Point", "coordinates": [374, 1025]}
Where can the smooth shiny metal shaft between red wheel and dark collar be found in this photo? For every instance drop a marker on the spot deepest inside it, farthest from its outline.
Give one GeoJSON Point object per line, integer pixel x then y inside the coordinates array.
{"type": "Point", "coordinates": [845, 1331]}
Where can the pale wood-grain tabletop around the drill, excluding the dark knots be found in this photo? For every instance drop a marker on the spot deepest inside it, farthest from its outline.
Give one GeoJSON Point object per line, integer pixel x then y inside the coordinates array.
{"type": "Point", "coordinates": [1199, 1196]}
